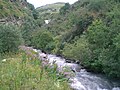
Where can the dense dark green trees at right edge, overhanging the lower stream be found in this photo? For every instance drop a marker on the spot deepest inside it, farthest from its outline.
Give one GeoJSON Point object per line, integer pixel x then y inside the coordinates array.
{"type": "Point", "coordinates": [105, 53]}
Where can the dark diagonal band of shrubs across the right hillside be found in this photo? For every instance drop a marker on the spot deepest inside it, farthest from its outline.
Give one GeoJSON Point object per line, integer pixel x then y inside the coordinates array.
{"type": "Point", "coordinates": [81, 25]}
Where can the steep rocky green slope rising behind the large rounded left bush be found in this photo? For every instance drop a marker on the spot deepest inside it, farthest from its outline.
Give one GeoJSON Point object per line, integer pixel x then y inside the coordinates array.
{"type": "Point", "coordinates": [20, 14]}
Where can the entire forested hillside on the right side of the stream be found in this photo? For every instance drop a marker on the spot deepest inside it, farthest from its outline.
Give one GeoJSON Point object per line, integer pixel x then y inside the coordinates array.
{"type": "Point", "coordinates": [87, 31]}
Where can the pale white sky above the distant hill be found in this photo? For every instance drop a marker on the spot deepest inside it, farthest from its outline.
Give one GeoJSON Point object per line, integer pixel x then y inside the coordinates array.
{"type": "Point", "coordinates": [38, 3]}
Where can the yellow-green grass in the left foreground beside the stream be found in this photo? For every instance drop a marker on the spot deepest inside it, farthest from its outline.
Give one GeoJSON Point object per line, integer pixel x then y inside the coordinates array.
{"type": "Point", "coordinates": [20, 73]}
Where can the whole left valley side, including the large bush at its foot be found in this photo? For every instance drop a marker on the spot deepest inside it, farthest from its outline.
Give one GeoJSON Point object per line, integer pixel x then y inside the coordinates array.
{"type": "Point", "coordinates": [16, 16]}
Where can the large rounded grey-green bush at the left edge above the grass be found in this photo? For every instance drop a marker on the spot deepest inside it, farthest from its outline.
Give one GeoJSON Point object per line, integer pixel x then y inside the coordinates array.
{"type": "Point", "coordinates": [10, 38]}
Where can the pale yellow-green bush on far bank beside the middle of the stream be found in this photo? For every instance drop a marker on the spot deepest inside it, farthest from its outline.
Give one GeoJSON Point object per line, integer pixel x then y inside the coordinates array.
{"type": "Point", "coordinates": [78, 50]}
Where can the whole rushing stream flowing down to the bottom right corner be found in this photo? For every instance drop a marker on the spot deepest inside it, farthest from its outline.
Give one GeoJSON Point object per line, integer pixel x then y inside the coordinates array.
{"type": "Point", "coordinates": [83, 80]}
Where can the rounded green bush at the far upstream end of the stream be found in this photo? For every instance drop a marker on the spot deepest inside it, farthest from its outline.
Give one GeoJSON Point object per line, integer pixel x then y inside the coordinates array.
{"type": "Point", "coordinates": [43, 40]}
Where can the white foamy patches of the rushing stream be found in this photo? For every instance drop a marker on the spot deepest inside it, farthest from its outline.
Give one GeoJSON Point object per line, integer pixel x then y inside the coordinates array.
{"type": "Point", "coordinates": [83, 80]}
